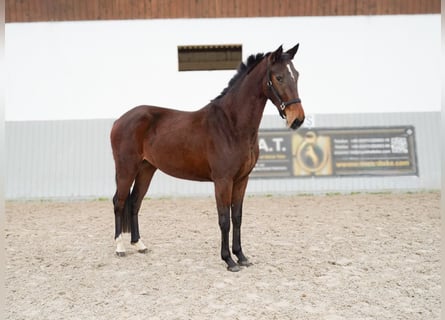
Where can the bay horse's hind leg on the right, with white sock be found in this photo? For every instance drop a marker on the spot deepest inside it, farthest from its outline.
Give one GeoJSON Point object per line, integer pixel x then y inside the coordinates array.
{"type": "Point", "coordinates": [140, 188]}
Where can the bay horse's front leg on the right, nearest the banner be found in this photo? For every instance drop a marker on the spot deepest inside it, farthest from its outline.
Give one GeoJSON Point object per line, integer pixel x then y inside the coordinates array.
{"type": "Point", "coordinates": [237, 214]}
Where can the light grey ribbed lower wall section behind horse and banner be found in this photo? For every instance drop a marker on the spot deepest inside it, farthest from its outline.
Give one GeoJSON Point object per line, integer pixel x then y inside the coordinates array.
{"type": "Point", "coordinates": [72, 159]}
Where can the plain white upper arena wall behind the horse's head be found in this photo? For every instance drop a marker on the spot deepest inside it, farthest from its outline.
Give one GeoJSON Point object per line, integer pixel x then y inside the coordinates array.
{"type": "Point", "coordinates": [100, 69]}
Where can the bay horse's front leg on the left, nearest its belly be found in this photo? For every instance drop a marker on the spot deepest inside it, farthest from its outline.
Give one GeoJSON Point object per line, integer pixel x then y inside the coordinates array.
{"type": "Point", "coordinates": [223, 192]}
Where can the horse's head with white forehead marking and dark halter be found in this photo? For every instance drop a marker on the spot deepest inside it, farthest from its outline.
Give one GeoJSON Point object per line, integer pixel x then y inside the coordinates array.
{"type": "Point", "coordinates": [281, 86]}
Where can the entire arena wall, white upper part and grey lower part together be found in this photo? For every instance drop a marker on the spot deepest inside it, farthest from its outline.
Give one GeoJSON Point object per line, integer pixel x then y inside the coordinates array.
{"type": "Point", "coordinates": [356, 72]}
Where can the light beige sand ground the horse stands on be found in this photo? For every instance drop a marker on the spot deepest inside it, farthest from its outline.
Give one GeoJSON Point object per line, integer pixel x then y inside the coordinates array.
{"type": "Point", "coordinates": [364, 256]}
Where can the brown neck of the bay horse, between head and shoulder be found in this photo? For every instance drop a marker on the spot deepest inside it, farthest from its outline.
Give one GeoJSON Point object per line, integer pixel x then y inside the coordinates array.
{"type": "Point", "coordinates": [244, 105]}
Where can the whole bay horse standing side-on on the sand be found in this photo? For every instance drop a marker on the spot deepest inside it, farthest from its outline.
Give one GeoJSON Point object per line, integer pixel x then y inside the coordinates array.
{"type": "Point", "coordinates": [217, 143]}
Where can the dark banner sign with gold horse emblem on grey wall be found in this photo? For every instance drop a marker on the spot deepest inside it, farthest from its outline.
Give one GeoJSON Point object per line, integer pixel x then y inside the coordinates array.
{"type": "Point", "coordinates": [378, 151]}
